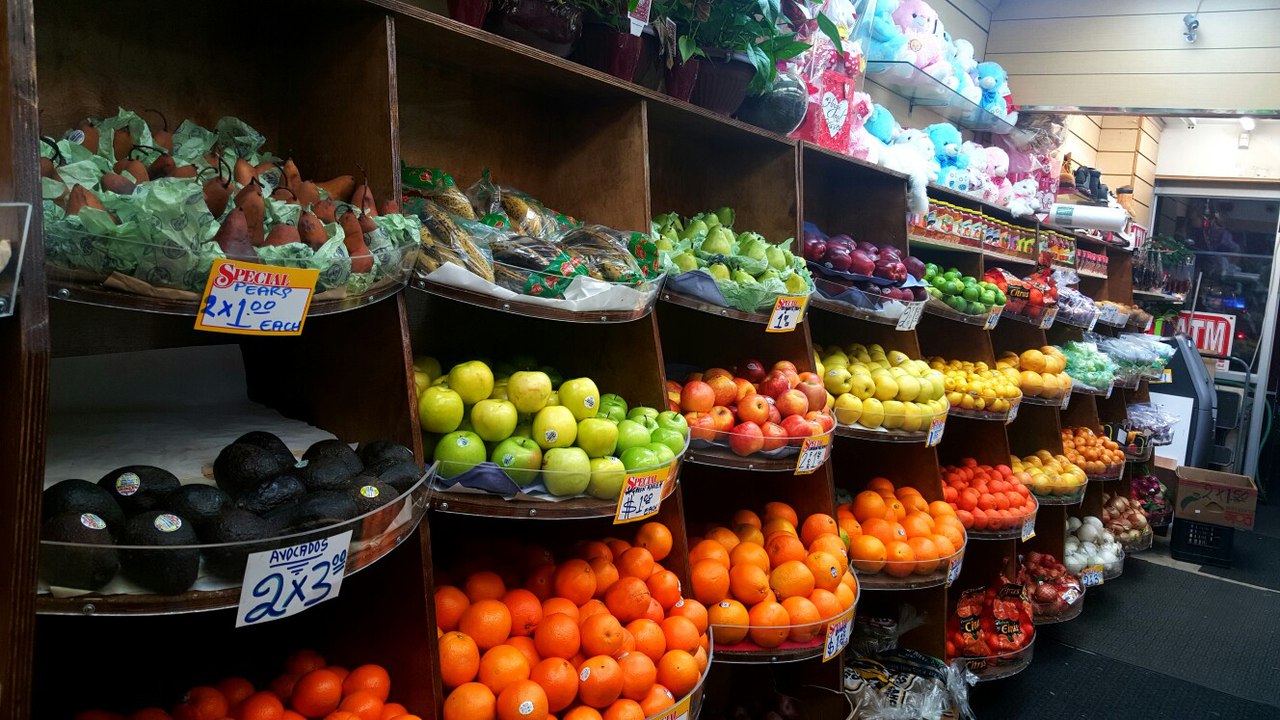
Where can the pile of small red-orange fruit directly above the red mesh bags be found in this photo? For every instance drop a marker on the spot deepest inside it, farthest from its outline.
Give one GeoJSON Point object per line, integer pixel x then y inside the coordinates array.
{"type": "Point", "coordinates": [986, 498]}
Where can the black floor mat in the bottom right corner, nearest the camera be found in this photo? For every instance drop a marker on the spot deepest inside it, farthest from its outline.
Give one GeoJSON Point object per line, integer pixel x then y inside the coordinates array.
{"type": "Point", "coordinates": [1064, 683]}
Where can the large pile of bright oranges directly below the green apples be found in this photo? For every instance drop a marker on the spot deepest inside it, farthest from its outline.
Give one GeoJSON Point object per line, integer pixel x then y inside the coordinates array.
{"type": "Point", "coordinates": [605, 635]}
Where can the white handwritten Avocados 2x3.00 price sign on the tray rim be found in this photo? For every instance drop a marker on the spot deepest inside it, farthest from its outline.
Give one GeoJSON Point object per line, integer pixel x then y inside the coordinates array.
{"type": "Point", "coordinates": [287, 581]}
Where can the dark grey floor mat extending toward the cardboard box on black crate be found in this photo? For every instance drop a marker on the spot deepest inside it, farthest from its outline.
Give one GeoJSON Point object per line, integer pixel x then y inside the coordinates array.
{"type": "Point", "coordinates": [1190, 627]}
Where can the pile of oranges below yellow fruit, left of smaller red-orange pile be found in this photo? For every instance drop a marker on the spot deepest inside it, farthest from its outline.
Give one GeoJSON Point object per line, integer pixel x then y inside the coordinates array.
{"type": "Point", "coordinates": [897, 531]}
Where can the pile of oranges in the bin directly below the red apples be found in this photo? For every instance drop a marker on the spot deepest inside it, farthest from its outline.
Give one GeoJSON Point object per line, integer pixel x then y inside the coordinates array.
{"type": "Point", "coordinates": [771, 578]}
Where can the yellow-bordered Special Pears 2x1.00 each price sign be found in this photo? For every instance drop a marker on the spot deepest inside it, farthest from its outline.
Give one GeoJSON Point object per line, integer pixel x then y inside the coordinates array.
{"type": "Point", "coordinates": [250, 299]}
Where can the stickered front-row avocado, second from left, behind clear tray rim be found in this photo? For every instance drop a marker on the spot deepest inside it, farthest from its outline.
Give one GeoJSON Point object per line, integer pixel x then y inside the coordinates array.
{"type": "Point", "coordinates": [163, 571]}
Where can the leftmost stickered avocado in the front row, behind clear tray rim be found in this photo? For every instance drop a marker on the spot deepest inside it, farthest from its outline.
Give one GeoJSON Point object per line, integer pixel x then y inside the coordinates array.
{"type": "Point", "coordinates": [77, 567]}
